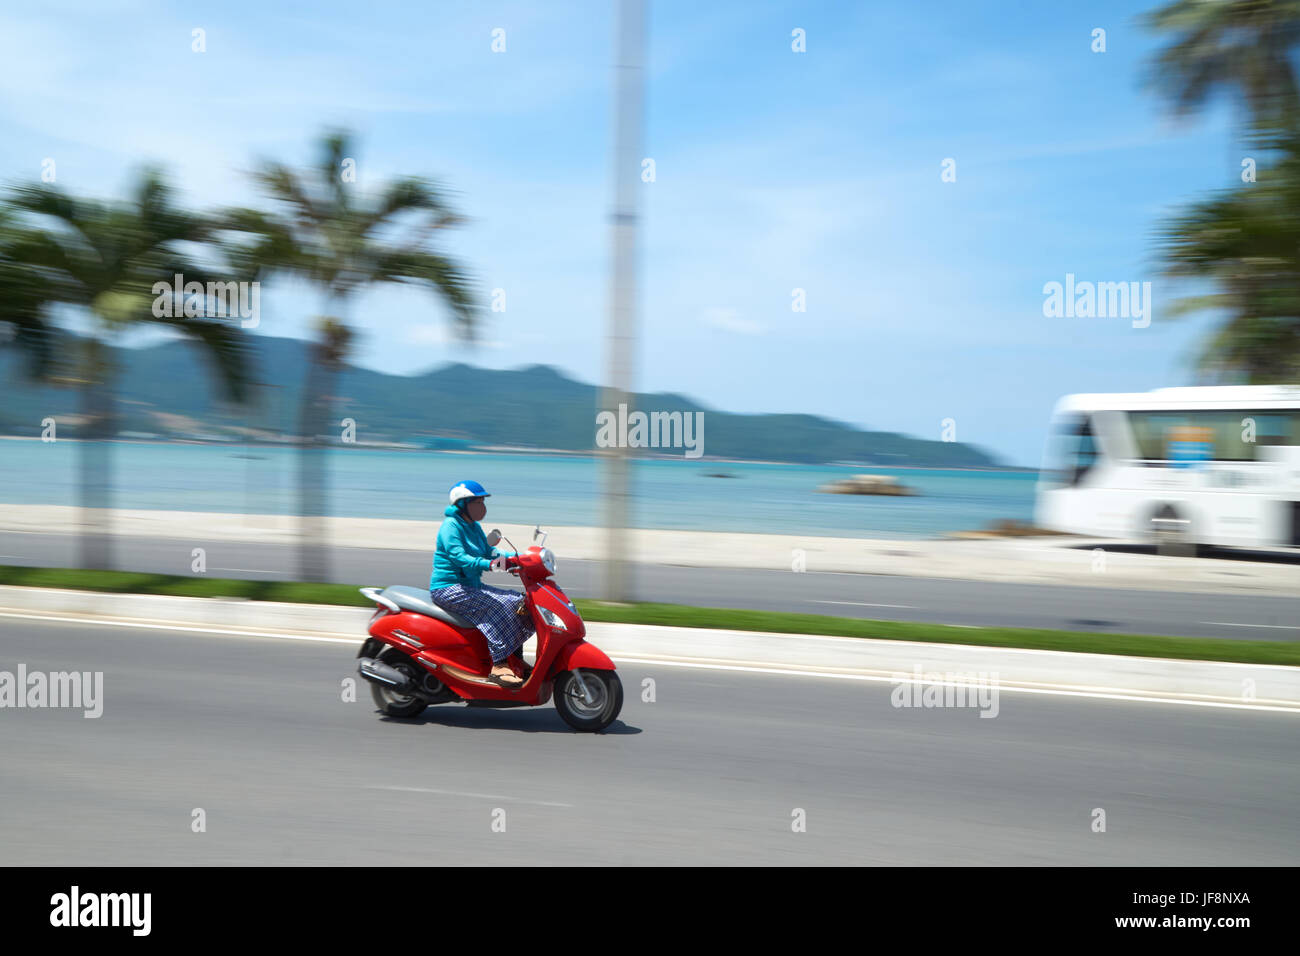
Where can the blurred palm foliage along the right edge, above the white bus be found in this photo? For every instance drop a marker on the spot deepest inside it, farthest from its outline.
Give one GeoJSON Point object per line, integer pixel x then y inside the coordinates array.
{"type": "Point", "coordinates": [1243, 240]}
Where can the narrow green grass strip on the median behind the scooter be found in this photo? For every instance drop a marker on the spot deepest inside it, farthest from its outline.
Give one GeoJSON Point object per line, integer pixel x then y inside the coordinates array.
{"type": "Point", "coordinates": [684, 616]}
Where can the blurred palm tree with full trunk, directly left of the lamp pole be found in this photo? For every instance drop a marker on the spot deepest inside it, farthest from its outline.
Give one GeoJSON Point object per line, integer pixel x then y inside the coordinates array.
{"type": "Point", "coordinates": [330, 233]}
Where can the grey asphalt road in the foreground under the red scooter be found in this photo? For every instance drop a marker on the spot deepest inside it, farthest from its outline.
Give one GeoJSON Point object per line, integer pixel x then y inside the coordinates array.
{"type": "Point", "coordinates": [255, 733]}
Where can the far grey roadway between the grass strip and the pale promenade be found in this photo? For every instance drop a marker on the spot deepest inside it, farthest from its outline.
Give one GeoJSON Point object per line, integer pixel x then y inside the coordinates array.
{"type": "Point", "coordinates": [886, 598]}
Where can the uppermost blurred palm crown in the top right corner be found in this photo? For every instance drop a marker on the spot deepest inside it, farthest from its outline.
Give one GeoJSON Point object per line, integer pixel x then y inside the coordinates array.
{"type": "Point", "coordinates": [1245, 46]}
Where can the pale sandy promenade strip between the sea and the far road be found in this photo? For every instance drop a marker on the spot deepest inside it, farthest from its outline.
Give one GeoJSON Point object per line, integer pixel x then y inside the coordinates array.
{"type": "Point", "coordinates": [1065, 561]}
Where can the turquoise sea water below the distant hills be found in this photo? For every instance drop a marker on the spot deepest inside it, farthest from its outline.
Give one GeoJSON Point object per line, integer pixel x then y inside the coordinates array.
{"type": "Point", "coordinates": [526, 488]}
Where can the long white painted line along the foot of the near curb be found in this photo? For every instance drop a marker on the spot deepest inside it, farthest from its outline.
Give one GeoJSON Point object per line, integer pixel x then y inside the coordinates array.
{"type": "Point", "coordinates": [1099, 694]}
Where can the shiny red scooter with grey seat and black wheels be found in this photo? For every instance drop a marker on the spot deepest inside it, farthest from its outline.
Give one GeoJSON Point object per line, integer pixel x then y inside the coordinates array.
{"type": "Point", "coordinates": [419, 654]}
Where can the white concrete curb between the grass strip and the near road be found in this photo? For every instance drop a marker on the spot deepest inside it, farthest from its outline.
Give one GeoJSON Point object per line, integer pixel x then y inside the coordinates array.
{"type": "Point", "coordinates": [1272, 686]}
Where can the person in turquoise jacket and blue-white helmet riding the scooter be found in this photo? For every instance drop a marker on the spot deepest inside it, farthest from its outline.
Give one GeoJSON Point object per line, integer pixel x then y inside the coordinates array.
{"type": "Point", "coordinates": [461, 559]}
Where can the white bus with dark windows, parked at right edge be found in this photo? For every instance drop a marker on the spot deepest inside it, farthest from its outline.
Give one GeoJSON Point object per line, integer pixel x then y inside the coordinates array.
{"type": "Point", "coordinates": [1186, 468]}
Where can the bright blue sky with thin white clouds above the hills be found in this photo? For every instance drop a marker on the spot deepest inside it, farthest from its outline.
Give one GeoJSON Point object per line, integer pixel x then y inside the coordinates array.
{"type": "Point", "coordinates": [775, 171]}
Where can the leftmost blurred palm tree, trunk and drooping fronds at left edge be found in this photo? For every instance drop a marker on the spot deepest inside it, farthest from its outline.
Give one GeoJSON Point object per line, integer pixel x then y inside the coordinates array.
{"type": "Point", "coordinates": [105, 258]}
